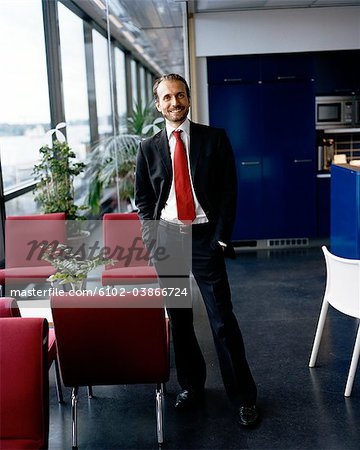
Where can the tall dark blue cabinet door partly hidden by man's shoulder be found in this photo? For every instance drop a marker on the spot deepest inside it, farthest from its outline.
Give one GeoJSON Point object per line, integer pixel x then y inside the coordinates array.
{"type": "Point", "coordinates": [237, 108]}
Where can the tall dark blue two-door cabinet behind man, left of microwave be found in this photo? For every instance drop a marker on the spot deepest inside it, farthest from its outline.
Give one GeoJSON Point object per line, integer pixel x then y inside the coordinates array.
{"type": "Point", "coordinates": [272, 131]}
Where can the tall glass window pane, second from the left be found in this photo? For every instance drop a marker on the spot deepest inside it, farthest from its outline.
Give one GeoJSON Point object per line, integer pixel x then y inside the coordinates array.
{"type": "Point", "coordinates": [74, 81]}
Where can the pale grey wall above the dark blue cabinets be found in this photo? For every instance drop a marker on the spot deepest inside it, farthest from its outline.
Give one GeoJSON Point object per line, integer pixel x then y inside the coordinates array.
{"type": "Point", "coordinates": [270, 31]}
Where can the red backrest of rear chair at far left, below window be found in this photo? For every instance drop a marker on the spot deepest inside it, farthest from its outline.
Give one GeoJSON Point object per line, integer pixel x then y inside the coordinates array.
{"type": "Point", "coordinates": [25, 234]}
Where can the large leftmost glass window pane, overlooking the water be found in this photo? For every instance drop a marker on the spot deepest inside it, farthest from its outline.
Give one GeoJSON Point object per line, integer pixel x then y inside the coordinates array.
{"type": "Point", "coordinates": [24, 105]}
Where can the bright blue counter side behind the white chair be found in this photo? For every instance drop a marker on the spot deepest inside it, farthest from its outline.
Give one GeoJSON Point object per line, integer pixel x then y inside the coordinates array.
{"type": "Point", "coordinates": [345, 211]}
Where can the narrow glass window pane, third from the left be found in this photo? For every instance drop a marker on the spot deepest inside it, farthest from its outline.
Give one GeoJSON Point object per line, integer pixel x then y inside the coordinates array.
{"type": "Point", "coordinates": [102, 84]}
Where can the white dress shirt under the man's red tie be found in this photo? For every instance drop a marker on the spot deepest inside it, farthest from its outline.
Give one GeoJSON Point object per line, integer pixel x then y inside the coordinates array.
{"type": "Point", "coordinates": [169, 213]}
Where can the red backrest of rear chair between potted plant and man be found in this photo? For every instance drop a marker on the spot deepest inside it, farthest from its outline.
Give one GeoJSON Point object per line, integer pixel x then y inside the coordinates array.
{"type": "Point", "coordinates": [122, 235]}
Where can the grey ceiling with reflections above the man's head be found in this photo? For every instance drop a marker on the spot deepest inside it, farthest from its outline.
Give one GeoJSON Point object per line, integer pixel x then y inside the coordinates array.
{"type": "Point", "coordinates": [157, 25]}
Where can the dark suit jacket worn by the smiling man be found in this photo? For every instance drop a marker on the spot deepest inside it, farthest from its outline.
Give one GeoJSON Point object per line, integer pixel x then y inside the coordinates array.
{"type": "Point", "coordinates": [212, 170]}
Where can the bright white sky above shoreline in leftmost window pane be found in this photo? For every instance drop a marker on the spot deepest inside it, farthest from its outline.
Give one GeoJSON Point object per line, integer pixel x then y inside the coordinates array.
{"type": "Point", "coordinates": [23, 78]}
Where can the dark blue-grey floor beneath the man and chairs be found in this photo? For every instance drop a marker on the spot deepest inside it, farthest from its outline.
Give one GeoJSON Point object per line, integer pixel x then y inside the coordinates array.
{"type": "Point", "coordinates": [277, 297]}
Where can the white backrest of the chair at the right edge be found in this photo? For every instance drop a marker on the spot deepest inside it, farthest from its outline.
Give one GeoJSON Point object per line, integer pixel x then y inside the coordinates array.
{"type": "Point", "coordinates": [343, 283]}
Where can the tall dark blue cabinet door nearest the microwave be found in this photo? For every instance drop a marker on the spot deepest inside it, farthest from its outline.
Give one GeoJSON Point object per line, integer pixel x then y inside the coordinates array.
{"type": "Point", "coordinates": [289, 163]}
